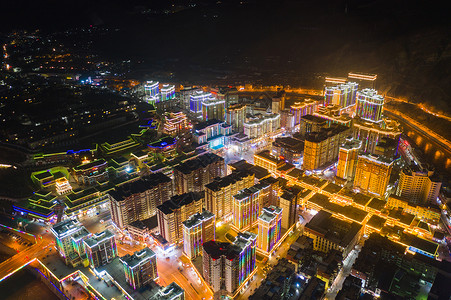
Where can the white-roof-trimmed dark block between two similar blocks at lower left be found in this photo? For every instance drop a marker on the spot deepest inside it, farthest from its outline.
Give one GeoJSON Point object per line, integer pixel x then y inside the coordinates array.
{"type": "Point", "coordinates": [101, 248]}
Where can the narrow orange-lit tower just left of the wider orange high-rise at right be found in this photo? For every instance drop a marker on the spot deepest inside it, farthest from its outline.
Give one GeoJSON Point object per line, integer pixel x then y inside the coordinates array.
{"type": "Point", "coordinates": [347, 158]}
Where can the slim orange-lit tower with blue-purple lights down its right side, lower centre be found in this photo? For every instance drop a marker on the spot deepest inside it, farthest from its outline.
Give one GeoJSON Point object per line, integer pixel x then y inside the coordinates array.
{"type": "Point", "coordinates": [269, 228]}
